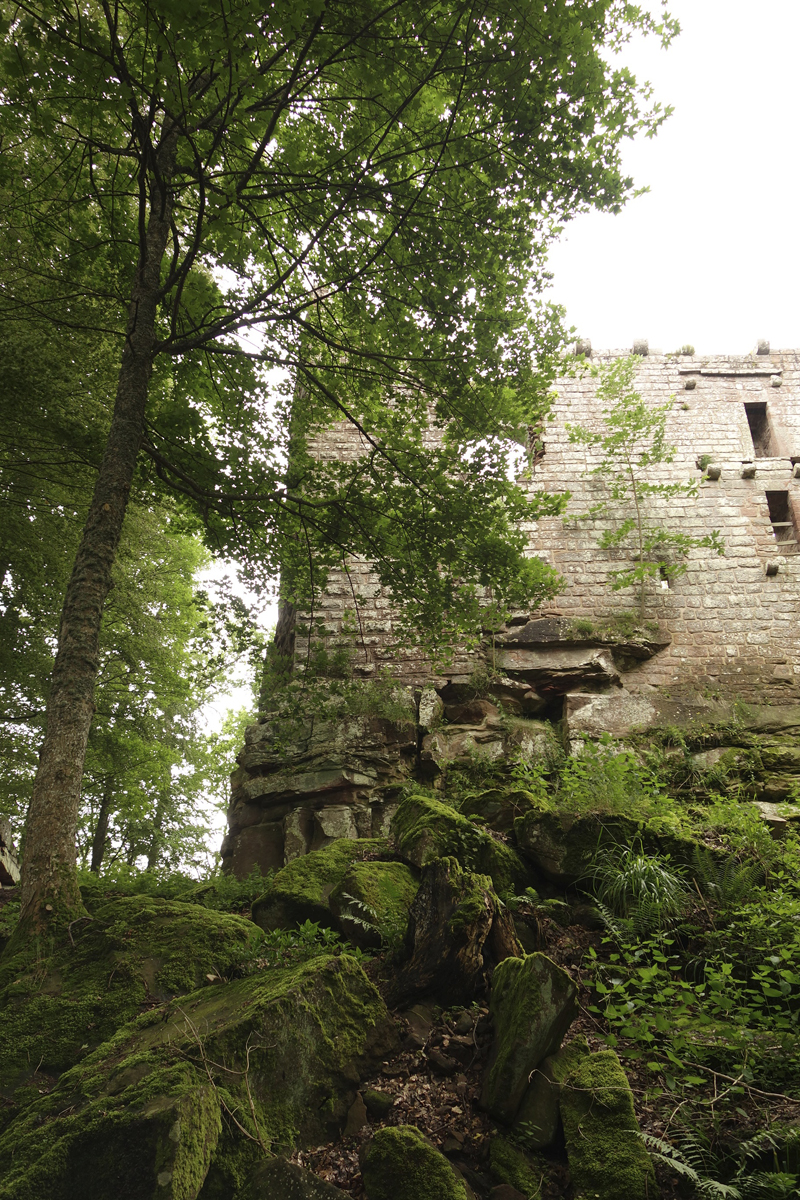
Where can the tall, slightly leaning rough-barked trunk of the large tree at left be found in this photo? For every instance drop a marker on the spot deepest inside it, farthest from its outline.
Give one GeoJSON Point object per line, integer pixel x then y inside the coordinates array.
{"type": "Point", "coordinates": [49, 877]}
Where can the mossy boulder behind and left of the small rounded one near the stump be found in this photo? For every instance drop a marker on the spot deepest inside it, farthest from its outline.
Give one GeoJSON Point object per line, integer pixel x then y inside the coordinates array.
{"type": "Point", "coordinates": [302, 891]}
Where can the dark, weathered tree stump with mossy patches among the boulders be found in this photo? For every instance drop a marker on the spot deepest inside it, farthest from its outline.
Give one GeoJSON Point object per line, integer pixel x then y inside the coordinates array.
{"type": "Point", "coordinates": [456, 931]}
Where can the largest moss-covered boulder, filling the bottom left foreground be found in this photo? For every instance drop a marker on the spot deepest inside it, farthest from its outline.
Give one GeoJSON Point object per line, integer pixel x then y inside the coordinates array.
{"type": "Point", "coordinates": [279, 1054]}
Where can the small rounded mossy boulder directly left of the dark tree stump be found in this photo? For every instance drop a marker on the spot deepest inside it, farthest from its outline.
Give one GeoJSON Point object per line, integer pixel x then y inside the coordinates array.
{"type": "Point", "coordinates": [372, 903]}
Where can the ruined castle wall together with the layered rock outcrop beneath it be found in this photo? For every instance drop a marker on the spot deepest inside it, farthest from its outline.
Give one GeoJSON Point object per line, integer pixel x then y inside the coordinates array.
{"type": "Point", "coordinates": [723, 632]}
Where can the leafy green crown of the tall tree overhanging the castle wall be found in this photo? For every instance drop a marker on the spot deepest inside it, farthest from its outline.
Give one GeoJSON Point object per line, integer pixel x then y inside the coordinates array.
{"type": "Point", "coordinates": [360, 197]}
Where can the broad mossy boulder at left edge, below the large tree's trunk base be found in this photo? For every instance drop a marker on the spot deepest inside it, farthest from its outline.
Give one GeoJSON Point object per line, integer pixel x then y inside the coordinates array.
{"type": "Point", "coordinates": [62, 999]}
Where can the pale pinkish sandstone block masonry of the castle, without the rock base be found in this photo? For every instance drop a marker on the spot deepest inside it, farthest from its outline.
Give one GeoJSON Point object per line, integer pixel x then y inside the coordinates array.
{"type": "Point", "coordinates": [735, 628]}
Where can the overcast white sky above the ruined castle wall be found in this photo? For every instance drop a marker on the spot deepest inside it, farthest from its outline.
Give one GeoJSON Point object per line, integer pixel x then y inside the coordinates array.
{"type": "Point", "coordinates": [712, 255]}
